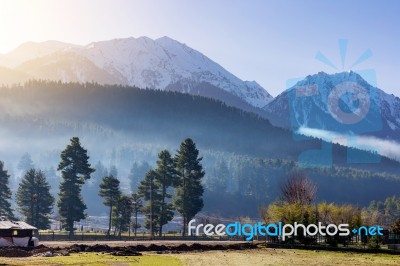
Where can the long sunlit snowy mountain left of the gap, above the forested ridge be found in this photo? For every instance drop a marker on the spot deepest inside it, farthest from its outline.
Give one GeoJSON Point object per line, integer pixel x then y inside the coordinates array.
{"type": "Point", "coordinates": [163, 64]}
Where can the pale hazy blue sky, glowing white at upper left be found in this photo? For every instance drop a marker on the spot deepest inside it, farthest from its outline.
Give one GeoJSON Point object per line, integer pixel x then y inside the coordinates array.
{"type": "Point", "coordinates": [266, 41]}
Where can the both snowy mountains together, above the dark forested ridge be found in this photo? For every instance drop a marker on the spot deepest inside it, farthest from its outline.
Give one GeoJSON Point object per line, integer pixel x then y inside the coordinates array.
{"type": "Point", "coordinates": [166, 64]}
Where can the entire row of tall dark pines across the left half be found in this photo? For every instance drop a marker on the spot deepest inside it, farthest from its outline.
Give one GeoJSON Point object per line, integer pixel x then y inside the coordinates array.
{"type": "Point", "coordinates": [175, 185]}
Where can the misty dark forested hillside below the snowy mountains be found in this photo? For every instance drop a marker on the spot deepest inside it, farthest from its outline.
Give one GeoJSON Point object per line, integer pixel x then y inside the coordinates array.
{"type": "Point", "coordinates": [126, 127]}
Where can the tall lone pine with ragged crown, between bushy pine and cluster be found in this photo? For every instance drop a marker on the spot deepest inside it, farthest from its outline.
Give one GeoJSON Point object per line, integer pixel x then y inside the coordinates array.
{"type": "Point", "coordinates": [75, 170]}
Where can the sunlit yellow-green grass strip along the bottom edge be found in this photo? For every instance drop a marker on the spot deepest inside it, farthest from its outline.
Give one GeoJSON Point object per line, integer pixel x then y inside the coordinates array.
{"type": "Point", "coordinates": [261, 256]}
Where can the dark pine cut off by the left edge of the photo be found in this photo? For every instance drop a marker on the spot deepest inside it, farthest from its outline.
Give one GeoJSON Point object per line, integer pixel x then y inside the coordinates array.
{"type": "Point", "coordinates": [5, 193]}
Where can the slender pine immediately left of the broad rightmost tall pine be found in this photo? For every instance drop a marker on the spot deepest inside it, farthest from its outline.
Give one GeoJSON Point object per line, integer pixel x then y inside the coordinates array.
{"type": "Point", "coordinates": [165, 178]}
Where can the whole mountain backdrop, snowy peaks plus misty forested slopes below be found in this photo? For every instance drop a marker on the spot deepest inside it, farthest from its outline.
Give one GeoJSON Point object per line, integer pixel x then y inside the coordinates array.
{"type": "Point", "coordinates": [163, 92]}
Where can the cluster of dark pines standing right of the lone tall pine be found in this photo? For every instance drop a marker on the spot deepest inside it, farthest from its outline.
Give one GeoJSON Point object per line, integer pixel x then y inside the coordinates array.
{"type": "Point", "coordinates": [174, 185]}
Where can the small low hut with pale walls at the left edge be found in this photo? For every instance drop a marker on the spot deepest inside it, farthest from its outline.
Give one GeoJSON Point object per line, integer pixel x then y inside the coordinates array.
{"type": "Point", "coordinates": [16, 233]}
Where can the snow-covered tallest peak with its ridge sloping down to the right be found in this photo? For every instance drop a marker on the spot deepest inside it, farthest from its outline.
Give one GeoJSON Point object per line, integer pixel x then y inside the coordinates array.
{"type": "Point", "coordinates": [155, 64]}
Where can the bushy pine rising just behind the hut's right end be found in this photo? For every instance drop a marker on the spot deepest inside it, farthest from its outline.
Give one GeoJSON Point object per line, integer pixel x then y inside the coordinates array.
{"type": "Point", "coordinates": [34, 199]}
